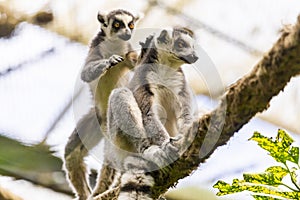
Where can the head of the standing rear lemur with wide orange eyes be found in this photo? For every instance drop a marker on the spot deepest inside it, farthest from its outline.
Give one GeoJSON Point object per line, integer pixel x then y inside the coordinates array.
{"type": "Point", "coordinates": [118, 24]}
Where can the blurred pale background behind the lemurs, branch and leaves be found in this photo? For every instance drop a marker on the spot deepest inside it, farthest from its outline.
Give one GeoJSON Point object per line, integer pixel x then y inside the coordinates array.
{"type": "Point", "coordinates": [43, 44]}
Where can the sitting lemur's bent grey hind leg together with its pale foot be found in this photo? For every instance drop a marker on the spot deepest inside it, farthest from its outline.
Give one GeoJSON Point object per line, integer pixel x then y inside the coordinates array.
{"type": "Point", "coordinates": [125, 117]}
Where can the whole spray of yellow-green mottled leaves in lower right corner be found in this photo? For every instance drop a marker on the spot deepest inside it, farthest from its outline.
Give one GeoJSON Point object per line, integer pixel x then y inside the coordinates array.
{"type": "Point", "coordinates": [271, 184]}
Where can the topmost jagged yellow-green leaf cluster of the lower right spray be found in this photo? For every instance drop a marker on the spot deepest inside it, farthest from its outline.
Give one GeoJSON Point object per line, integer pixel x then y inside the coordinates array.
{"type": "Point", "coordinates": [280, 149]}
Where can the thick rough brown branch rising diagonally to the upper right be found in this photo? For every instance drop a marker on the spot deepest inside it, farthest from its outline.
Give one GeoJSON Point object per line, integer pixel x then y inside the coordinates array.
{"type": "Point", "coordinates": [248, 96]}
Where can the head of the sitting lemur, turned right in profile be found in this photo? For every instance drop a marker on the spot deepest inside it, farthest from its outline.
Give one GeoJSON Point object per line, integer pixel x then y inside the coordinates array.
{"type": "Point", "coordinates": [180, 45]}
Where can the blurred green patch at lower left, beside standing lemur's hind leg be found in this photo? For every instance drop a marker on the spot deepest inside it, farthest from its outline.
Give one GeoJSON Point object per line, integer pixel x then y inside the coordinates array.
{"type": "Point", "coordinates": [35, 163]}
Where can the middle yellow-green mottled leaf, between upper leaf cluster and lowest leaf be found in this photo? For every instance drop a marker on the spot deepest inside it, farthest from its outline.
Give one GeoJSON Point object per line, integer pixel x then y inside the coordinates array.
{"type": "Point", "coordinates": [272, 176]}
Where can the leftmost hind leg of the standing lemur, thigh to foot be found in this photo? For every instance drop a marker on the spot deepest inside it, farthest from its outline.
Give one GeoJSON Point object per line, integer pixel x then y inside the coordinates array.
{"type": "Point", "coordinates": [86, 135]}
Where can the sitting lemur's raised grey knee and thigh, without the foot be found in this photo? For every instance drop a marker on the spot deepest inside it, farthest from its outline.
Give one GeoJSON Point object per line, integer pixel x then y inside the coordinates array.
{"type": "Point", "coordinates": [125, 117]}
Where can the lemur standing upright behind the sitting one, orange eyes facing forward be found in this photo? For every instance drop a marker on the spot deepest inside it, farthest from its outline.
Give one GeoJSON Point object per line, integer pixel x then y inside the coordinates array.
{"type": "Point", "coordinates": [109, 58]}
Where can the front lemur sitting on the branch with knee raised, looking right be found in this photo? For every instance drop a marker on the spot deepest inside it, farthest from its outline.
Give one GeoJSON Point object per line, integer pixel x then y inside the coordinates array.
{"type": "Point", "coordinates": [155, 107]}
